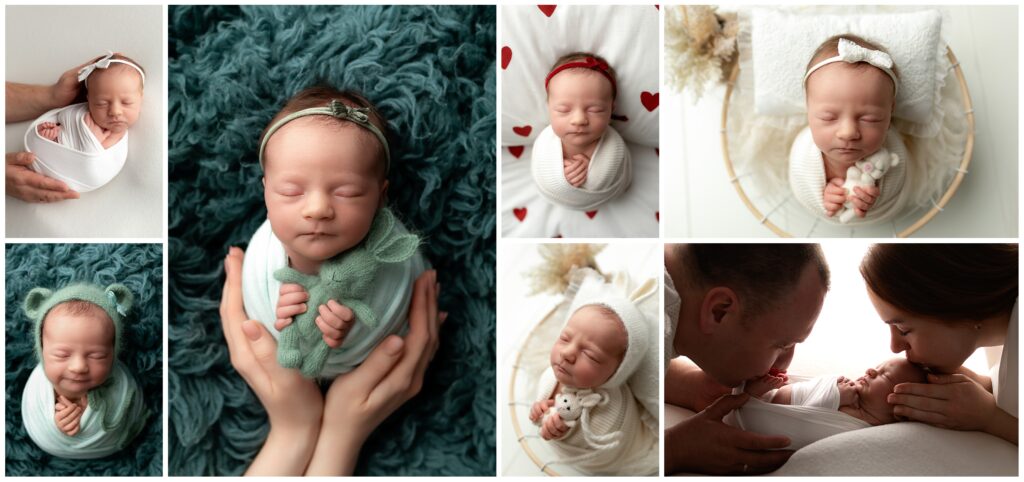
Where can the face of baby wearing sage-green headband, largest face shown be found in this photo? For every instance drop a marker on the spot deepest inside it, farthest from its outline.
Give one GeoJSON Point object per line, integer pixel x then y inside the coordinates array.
{"type": "Point", "coordinates": [323, 185]}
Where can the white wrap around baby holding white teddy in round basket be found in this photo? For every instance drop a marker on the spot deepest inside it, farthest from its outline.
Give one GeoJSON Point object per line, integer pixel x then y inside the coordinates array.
{"type": "Point", "coordinates": [807, 180]}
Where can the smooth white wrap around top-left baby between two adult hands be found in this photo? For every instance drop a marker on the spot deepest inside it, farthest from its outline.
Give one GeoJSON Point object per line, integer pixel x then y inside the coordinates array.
{"type": "Point", "coordinates": [79, 160]}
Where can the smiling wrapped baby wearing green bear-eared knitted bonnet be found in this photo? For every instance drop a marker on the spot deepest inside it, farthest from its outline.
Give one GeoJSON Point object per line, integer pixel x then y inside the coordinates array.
{"type": "Point", "coordinates": [81, 403]}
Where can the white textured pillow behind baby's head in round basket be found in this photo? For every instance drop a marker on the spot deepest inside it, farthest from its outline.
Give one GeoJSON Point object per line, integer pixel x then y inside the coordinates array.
{"type": "Point", "coordinates": [784, 43]}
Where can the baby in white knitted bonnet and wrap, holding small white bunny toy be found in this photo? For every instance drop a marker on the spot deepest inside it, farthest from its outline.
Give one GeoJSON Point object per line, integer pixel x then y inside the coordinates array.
{"type": "Point", "coordinates": [585, 408]}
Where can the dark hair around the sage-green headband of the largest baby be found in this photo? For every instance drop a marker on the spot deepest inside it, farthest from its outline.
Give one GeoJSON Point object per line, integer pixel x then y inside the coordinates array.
{"type": "Point", "coordinates": [322, 97]}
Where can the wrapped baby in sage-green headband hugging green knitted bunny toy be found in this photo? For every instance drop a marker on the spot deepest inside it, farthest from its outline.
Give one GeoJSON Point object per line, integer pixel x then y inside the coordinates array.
{"type": "Point", "coordinates": [332, 269]}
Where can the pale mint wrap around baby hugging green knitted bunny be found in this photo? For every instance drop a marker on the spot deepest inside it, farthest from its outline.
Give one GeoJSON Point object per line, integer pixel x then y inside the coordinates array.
{"type": "Point", "coordinates": [390, 300]}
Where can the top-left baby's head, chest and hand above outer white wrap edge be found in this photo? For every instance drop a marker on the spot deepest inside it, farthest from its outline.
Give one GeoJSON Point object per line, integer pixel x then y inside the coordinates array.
{"type": "Point", "coordinates": [114, 92]}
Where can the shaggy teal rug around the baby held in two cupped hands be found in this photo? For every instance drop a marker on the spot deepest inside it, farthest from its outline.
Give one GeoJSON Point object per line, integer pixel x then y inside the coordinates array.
{"type": "Point", "coordinates": [432, 72]}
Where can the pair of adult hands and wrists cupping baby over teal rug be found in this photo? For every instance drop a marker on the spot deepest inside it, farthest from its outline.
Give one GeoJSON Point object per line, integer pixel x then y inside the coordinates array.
{"type": "Point", "coordinates": [310, 433]}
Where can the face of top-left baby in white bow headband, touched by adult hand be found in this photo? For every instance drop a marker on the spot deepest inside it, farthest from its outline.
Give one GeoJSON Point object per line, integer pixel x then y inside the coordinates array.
{"type": "Point", "coordinates": [115, 98]}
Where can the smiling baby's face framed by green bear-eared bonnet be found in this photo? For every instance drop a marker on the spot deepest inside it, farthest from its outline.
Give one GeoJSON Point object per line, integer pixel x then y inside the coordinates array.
{"type": "Point", "coordinates": [78, 350]}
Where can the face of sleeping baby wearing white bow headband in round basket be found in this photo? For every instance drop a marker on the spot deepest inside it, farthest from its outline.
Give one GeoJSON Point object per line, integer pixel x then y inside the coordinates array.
{"type": "Point", "coordinates": [849, 110]}
